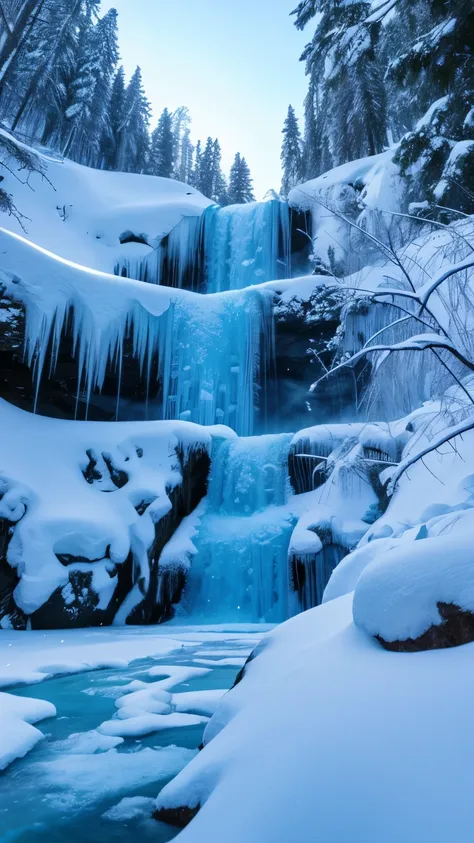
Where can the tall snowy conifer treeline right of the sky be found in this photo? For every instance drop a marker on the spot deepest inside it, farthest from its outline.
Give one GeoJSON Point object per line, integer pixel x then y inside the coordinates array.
{"type": "Point", "coordinates": [382, 71]}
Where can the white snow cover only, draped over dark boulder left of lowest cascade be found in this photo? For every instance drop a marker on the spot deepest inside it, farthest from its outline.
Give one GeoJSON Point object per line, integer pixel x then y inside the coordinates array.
{"type": "Point", "coordinates": [58, 512]}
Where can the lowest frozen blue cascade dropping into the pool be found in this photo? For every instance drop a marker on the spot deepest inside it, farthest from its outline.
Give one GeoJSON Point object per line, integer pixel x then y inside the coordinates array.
{"type": "Point", "coordinates": [240, 569]}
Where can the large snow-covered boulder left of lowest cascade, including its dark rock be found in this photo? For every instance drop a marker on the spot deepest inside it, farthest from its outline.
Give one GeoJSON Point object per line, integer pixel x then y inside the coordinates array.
{"type": "Point", "coordinates": [86, 510]}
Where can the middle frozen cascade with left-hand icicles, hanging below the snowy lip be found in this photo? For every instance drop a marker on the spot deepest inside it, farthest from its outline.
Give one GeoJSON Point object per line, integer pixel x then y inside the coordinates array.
{"type": "Point", "coordinates": [211, 354]}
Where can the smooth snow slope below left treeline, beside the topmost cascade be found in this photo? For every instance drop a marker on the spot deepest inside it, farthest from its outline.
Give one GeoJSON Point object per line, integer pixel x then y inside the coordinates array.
{"type": "Point", "coordinates": [80, 213]}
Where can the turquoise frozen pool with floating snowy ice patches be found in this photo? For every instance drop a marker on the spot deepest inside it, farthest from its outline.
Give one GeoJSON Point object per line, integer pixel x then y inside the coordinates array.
{"type": "Point", "coordinates": [80, 784]}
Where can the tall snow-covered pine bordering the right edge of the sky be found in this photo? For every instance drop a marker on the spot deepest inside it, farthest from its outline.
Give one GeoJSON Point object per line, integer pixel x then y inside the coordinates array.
{"type": "Point", "coordinates": [345, 108]}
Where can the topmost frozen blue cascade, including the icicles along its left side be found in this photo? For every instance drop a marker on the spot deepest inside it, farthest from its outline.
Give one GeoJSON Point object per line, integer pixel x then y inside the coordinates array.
{"type": "Point", "coordinates": [224, 249]}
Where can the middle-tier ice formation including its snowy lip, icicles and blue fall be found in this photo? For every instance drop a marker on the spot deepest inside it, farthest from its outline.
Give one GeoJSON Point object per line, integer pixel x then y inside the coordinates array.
{"type": "Point", "coordinates": [212, 352]}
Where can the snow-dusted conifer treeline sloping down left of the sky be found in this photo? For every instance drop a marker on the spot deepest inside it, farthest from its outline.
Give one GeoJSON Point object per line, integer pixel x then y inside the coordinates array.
{"type": "Point", "coordinates": [61, 85]}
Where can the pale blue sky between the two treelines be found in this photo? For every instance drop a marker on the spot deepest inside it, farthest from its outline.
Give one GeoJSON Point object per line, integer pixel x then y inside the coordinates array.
{"type": "Point", "coordinates": [234, 63]}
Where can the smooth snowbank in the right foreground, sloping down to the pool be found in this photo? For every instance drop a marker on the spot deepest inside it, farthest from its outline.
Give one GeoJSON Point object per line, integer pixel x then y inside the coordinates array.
{"type": "Point", "coordinates": [325, 733]}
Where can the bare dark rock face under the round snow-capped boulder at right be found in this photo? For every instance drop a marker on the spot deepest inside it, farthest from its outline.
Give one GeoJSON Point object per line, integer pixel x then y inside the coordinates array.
{"type": "Point", "coordinates": [457, 628]}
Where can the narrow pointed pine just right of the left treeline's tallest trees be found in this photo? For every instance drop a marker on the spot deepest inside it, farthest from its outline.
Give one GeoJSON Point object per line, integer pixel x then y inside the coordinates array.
{"type": "Point", "coordinates": [133, 138]}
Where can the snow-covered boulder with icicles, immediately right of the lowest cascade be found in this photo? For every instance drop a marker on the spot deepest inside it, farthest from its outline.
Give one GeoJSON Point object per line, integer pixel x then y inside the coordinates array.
{"type": "Point", "coordinates": [340, 467]}
